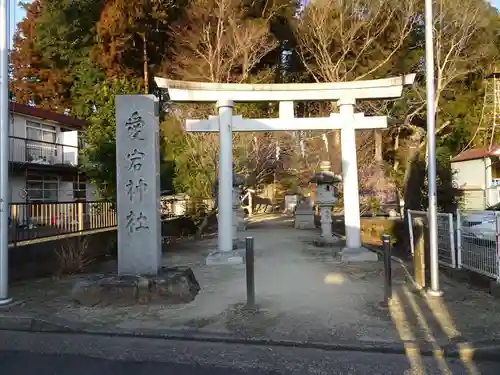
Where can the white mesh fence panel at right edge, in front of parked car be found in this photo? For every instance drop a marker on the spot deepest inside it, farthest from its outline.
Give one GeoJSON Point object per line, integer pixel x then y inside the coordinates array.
{"type": "Point", "coordinates": [477, 241]}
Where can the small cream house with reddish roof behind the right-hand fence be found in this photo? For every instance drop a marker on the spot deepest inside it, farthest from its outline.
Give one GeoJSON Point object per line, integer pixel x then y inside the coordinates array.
{"type": "Point", "coordinates": [477, 176]}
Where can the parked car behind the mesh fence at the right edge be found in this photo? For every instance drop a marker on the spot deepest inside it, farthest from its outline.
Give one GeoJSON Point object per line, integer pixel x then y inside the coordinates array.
{"type": "Point", "coordinates": [481, 225]}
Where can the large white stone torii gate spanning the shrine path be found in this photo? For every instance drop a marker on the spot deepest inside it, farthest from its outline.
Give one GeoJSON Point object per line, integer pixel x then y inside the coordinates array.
{"type": "Point", "coordinates": [345, 93]}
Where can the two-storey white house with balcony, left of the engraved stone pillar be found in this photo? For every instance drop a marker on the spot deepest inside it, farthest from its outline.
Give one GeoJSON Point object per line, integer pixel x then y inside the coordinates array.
{"type": "Point", "coordinates": [44, 156]}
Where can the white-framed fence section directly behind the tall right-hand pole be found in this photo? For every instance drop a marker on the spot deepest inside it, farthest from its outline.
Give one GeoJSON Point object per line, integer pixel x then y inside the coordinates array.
{"type": "Point", "coordinates": [447, 254]}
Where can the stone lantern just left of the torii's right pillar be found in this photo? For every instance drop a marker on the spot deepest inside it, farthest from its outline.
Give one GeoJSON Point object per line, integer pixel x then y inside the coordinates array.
{"type": "Point", "coordinates": [326, 181]}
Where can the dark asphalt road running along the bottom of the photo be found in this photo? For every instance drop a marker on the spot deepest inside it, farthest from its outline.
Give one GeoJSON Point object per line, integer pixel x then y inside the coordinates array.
{"type": "Point", "coordinates": [55, 354]}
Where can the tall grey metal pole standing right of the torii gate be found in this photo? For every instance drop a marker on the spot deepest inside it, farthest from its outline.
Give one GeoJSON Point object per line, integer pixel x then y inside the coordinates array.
{"type": "Point", "coordinates": [431, 149]}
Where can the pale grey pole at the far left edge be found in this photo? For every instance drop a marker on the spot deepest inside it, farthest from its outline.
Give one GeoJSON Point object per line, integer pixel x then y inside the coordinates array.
{"type": "Point", "coordinates": [4, 152]}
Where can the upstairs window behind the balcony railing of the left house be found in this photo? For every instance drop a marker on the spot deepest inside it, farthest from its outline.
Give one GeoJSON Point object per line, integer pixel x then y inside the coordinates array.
{"type": "Point", "coordinates": [40, 146]}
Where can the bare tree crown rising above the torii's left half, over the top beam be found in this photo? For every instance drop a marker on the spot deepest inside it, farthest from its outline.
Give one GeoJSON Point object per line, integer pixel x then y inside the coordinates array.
{"type": "Point", "coordinates": [219, 42]}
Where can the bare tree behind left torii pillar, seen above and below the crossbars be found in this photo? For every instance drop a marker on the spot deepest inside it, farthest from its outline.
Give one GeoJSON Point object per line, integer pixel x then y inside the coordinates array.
{"type": "Point", "coordinates": [219, 41]}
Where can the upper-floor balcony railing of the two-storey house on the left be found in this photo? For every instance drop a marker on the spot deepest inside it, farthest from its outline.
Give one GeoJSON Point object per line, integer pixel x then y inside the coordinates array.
{"type": "Point", "coordinates": [24, 150]}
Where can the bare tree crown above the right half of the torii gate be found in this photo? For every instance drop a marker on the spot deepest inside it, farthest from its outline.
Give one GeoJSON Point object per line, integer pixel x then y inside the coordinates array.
{"type": "Point", "coordinates": [341, 40]}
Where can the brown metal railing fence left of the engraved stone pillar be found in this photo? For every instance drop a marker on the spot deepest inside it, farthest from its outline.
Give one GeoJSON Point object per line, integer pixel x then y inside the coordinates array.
{"type": "Point", "coordinates": [28, 221]}
